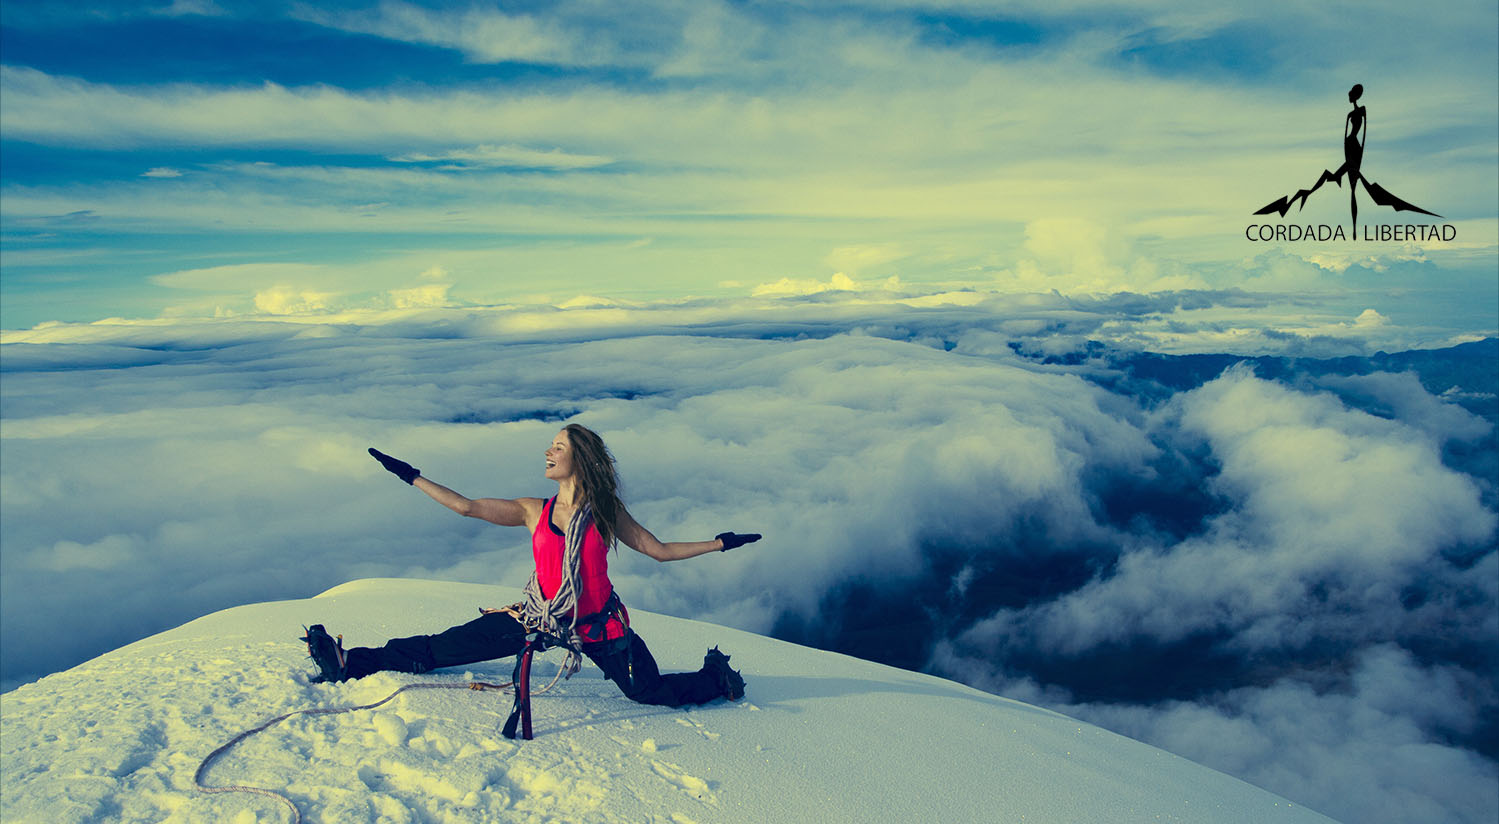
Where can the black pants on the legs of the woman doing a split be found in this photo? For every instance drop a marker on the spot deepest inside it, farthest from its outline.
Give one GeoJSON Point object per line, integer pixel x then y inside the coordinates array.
{"type": "Point", "coordinates": [501, 636]}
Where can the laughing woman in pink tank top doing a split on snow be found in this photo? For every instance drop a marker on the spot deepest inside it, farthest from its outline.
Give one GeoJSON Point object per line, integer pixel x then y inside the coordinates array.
{"type": "Point", "coordinates": [569, 596]}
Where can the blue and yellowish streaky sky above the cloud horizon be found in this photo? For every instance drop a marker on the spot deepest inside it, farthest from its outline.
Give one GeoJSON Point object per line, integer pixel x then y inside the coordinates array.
{"type": "Point", "coordinates": [217, 160]}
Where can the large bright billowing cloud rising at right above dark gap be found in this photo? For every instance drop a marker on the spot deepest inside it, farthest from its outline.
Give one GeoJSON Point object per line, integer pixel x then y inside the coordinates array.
{"type": "Point", "coordinates": [1333, 515]}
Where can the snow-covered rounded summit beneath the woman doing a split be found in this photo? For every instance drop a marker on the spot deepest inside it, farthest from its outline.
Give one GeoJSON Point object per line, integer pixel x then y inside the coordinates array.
{"type": "Point", "coordinates": [821, 738]}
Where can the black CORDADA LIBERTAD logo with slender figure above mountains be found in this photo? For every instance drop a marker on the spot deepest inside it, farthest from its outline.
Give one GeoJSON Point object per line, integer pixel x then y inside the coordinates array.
{"type": "Point", "coordinates": [1356, 130]}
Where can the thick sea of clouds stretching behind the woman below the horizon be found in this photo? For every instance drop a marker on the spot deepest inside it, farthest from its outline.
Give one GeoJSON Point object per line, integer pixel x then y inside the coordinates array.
{"type": "Point", "coordinates": [1284, 570]}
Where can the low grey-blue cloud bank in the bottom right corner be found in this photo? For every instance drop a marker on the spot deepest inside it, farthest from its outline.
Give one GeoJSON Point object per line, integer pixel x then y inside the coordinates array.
{"type": "Point", "coordinates": [1374, 753]}
